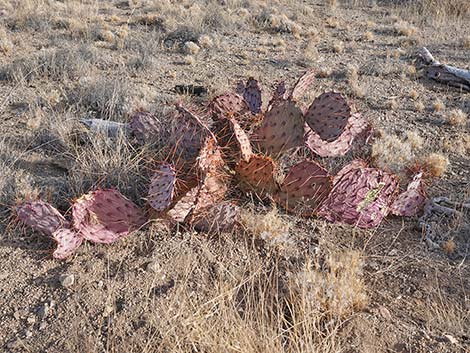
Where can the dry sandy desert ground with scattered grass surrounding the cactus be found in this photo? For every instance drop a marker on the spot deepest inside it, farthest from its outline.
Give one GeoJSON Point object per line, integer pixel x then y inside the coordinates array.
{"type": "Point", "coordinates": [279, 282]}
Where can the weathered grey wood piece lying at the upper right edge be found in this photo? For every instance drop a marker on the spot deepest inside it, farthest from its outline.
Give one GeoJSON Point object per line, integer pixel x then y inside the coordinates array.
{"type": "Point", "coordinates": [442, 73]}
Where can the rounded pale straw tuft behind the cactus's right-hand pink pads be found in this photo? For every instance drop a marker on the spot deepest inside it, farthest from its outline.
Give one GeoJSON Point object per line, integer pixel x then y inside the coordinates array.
{"type": "Point", "coordinates": [392, 153]}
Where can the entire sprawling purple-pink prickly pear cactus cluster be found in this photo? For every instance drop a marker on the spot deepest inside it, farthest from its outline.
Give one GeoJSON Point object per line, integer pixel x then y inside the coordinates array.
{"type": "Point", "coordinates": [234, 145]}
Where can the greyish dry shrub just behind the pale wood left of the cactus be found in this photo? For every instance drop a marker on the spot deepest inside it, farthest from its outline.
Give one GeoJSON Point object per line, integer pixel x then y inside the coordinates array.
{"type": "Point", "coordinates": [108, 98]}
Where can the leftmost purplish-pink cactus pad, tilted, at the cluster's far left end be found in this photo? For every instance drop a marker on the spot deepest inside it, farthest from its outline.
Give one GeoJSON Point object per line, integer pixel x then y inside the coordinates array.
{"type": "Point", "coordinates": [41, 216]}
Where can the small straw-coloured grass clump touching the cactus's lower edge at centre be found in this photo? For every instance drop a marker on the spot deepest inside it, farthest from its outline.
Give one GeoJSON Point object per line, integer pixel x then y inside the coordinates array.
{"type": "Point", "coordinates": [270, 227]}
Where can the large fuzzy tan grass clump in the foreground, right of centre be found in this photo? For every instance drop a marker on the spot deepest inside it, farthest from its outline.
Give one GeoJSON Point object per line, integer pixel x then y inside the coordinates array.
{"type": "Point", "coordinates": [338, 290]}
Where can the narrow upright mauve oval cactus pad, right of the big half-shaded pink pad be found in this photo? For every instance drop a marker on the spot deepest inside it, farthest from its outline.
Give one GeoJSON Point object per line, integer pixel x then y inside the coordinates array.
{"type": "Point", "coordinates": [162, 187]}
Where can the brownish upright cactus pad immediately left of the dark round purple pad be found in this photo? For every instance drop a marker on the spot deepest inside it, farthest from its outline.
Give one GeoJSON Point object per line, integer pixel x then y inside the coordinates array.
{"type": "Point", "coordinates": [282, 128]}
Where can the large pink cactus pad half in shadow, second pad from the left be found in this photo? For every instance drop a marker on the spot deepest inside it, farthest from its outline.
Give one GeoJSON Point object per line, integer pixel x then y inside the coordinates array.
{"type": "Point", "coordinates": [104, 216]}
